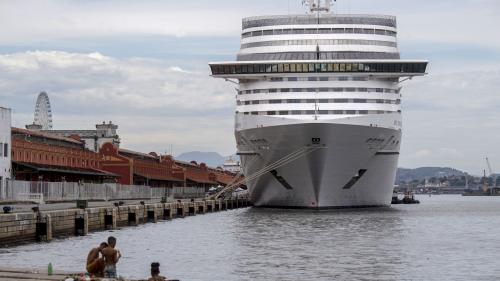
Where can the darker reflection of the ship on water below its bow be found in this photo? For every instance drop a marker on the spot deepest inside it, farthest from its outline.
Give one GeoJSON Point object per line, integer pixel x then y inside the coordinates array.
{"type": "Point", "coordinates": [340, 244]}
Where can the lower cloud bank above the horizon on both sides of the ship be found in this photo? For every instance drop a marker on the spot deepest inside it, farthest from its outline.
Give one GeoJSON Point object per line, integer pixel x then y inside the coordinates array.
{"type": "Point", "coordinates": [449, 119]}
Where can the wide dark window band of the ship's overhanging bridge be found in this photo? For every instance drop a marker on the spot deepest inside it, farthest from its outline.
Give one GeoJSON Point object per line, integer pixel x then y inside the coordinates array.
{"type": "Point", "coordinates": [417, 67]}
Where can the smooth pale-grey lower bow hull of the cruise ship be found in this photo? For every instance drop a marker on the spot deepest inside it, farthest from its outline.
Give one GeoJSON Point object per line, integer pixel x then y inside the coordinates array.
{"type": "Point", "coordinates": [321, 179]}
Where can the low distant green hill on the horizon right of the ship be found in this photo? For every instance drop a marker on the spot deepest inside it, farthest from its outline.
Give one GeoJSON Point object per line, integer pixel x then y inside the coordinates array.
{"type": "Point", "coordinates": [407, 175]}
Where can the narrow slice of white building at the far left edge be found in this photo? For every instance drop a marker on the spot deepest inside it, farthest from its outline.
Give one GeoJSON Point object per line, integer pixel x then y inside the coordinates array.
{"type": "Point", "coordinates": [5, 146]}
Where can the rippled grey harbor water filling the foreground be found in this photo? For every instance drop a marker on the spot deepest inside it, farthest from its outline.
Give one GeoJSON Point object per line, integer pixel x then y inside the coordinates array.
{"type": "Point", "coordinates": [446, 237]}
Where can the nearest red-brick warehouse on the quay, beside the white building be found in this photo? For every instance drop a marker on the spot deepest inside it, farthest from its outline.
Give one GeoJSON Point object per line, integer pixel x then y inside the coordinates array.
{"type": "Point", "coordinates": [39, 156]}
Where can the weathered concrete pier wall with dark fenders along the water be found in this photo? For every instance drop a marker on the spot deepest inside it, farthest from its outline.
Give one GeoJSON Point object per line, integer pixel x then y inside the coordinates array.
{"type": "Point", "coordinates": [45, 225]}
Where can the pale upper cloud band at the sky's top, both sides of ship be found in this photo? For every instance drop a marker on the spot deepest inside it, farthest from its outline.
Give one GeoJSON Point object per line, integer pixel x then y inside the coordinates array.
{"type": "Point", "coordinates": [470, 22]}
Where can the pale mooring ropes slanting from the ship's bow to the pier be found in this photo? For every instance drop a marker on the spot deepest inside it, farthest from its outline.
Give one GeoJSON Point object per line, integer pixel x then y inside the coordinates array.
{"type": "Point", "coordinates": [289, 158]}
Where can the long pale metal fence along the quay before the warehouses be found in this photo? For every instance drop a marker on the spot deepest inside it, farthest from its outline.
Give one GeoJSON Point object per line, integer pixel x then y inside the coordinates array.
{"type": "Point", "coordinates": [15, 190]}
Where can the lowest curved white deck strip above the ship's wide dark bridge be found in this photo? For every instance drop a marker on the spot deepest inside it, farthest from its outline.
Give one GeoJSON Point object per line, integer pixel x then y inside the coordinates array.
{"type": "Point", "coordinates": [319, 42]}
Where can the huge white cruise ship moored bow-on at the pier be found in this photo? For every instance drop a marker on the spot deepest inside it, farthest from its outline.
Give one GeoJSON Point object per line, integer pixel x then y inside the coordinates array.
{"type": "Point", "coordinates": [318, 107]}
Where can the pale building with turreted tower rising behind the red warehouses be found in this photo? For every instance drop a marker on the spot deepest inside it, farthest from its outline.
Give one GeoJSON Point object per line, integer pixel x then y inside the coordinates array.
{"type": "Point", "coordinates": [94, 139]}
